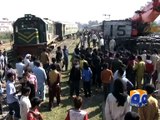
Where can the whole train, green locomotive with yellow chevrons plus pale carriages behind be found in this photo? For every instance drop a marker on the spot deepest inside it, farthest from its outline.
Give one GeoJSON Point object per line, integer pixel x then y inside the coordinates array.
{"type": "Point", "coordinates": [32, 34]}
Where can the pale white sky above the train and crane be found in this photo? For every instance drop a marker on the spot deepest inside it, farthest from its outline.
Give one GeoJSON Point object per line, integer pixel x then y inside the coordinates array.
{"type": "Point", "coordinates": [71, 10]}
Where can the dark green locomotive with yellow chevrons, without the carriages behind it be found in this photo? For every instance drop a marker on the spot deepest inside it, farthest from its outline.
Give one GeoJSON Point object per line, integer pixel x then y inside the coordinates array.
{"type": "Point", "coordinates": [32, 34]}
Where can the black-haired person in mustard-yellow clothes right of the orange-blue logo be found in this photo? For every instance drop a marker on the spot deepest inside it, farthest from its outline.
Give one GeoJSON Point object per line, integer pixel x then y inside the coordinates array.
{"type": "Point", "coordinates": [150, 111]}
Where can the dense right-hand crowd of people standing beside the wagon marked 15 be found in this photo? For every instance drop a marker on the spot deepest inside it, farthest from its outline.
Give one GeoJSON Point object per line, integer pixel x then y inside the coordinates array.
{"type": "Point", "coordinates": [117, 73]}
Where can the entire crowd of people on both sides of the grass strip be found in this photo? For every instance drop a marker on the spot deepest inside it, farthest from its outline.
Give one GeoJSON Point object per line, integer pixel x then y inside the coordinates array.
{"type": "Point", "coordinates": [114, 73]}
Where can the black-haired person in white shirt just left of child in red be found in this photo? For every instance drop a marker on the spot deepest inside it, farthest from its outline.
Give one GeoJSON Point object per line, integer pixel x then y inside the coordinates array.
{"type": "Point", "coordinates": [25, 104]}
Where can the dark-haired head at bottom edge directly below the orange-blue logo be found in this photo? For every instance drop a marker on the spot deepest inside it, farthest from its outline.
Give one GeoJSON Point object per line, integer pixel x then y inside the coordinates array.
{"type": "Point", "coordinates": [131, 116]}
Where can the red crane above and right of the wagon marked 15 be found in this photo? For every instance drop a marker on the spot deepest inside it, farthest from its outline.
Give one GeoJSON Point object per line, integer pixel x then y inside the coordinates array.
{"type": "Point", "coordinates": [142, 18]}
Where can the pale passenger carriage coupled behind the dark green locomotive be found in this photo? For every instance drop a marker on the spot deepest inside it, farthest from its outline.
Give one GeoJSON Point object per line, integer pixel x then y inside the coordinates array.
{"type": "Point", "coordinates": [65, 30]}
